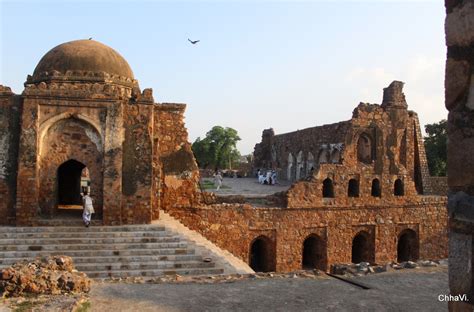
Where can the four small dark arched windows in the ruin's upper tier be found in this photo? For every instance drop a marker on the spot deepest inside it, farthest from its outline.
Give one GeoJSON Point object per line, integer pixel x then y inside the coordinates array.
{"type": "Point", "coordinates": [353, 188]}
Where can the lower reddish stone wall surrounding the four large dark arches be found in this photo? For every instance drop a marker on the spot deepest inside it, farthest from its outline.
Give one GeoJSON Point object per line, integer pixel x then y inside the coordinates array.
{"type": "Point", "coordinates": [234, 228]}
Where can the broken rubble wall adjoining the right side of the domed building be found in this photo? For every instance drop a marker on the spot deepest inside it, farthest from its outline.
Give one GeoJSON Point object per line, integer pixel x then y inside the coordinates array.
{"type": "Point", "coordinates": [180, 174]}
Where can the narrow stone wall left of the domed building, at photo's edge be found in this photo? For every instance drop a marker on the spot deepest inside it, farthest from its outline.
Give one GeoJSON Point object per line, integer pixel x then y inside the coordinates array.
{"type": "Point", "coordinates": [10, 110]}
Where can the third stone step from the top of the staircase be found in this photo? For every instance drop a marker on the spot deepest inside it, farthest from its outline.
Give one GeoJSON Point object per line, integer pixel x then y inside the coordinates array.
{"type": "Point", "coordinates": [88, 241]}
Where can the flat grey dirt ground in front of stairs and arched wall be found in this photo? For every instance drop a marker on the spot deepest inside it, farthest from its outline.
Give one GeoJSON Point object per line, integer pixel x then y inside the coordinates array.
{"type": "Point", "coordinates": [410, 290]}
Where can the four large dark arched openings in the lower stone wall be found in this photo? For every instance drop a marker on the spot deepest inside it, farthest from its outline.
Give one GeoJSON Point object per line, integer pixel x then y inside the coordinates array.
{"type": "Point", "coordinates": [314, 251]}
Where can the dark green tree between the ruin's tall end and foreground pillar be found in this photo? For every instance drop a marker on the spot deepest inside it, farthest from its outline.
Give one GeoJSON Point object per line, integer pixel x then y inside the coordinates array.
{"type": "Point", "coordinates": [436, 147]}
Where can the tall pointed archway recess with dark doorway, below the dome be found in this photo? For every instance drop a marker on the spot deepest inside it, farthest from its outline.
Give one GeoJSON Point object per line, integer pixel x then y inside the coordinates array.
{"type": "Point", "coordinates": [67, 145]}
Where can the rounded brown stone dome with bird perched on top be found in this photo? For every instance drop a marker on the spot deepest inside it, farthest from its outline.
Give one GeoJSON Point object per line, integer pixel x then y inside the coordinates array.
{"type": "Point", "coordinates": [82, 57]}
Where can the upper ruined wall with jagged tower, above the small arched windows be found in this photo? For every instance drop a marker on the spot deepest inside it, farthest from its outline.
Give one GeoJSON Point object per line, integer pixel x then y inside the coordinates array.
{"type": "Point", "coordinates": [389, 131]}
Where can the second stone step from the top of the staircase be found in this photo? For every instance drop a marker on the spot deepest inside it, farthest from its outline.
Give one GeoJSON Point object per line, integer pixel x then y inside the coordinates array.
{"type": "Point", "coordinates": [39, 235]}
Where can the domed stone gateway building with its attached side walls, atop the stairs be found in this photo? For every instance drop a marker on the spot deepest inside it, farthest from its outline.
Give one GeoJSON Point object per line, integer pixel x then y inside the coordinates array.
{"type": "Point", "coordinates": [82, 122]}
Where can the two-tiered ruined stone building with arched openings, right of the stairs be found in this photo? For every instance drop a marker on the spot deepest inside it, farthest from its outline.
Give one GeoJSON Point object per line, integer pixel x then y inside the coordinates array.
{"type": "Point", "coordinates": [360, 195]}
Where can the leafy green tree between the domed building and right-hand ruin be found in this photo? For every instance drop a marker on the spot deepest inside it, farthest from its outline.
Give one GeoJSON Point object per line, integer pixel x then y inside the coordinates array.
{"type": "Point", "coordinates": [218, 149]}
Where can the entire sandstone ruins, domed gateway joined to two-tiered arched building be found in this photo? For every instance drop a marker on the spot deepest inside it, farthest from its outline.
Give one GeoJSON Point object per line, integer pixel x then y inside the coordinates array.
{"type": "Point", "coordinates": [366, 198]}
